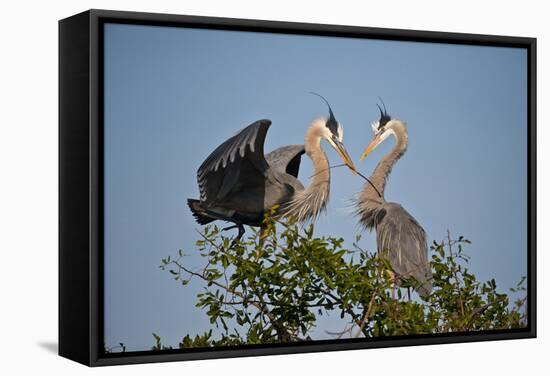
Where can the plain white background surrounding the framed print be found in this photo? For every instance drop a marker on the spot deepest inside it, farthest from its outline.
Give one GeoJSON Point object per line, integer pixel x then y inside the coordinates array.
{"type": "Point", "coordinates": [28, 185]}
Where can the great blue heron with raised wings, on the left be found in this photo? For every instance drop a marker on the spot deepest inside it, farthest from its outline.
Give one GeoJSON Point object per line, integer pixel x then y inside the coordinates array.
{"type": "Point", "coordinates": [238, 184]}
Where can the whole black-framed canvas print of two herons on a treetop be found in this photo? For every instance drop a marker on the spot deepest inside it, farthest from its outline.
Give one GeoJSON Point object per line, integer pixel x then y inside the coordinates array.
{"type": "Point", "coordinates": [225, 187]}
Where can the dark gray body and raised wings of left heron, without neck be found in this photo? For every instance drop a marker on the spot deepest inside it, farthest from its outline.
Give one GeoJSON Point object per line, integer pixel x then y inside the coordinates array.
{"type": "Point", "coordinates": [238, 183]}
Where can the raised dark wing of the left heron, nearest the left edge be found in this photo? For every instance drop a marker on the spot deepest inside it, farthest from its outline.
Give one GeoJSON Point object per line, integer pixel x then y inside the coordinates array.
{"type": "Point", "coordinates": [239, 160]}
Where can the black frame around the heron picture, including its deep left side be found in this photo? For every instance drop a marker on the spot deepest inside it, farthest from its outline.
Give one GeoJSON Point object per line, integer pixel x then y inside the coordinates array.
{"type": "Point", "coordinates": [80, 184]}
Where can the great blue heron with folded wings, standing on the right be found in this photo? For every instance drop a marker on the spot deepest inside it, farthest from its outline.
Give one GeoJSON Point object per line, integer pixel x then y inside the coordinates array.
{"type": "Point", "coordinates": [398, 234]}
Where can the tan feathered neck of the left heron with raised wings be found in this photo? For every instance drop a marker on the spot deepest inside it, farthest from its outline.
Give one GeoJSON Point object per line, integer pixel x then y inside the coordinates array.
{"type": "Point", "coordinates": [310, 202]}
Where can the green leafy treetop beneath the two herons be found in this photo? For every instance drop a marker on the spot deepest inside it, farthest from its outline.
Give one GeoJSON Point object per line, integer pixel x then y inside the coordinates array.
{"type": "Point", "coordinates": [273, 286]}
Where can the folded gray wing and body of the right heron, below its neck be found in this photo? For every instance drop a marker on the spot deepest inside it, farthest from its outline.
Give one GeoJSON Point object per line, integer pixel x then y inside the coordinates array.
{"type": "Point", "coordinates": [404, 240]}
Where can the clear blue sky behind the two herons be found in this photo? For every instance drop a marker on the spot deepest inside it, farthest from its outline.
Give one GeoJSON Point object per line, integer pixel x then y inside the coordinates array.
{"type": "Point", "coordinates": [172, 95]}
